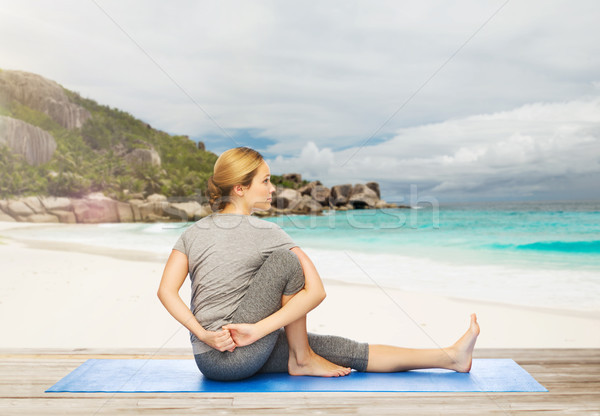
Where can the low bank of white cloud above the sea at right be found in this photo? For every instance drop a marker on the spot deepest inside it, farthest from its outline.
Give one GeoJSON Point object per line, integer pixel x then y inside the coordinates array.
{"type": "Point", "coordinates": [513, 153]}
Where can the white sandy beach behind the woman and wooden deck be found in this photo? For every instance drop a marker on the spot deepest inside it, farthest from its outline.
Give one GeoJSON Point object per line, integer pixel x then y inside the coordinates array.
{"type": "Point", "coordinates": [65, 296]}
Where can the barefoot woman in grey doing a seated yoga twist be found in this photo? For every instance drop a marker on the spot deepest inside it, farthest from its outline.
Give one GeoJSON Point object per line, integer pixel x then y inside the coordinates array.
{"type": "Point", "coordinates": [249, 280]}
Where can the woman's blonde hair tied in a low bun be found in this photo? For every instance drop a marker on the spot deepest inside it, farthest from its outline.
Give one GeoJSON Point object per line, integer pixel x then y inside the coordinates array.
{"type": "Point", "coordinates": [236, 166]}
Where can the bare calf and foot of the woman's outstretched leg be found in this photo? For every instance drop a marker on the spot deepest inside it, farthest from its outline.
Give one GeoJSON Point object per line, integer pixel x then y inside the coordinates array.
{"type": "Point", "coordinates": [458, 357]}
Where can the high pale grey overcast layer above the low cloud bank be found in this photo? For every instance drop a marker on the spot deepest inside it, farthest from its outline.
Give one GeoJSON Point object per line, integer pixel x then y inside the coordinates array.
{"type": "Point", "coordinates": [328, 72]}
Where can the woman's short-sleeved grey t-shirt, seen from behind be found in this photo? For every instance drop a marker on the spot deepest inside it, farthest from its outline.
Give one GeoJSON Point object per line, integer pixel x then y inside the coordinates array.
{"type": "Point", "coordinates": [224, 253]}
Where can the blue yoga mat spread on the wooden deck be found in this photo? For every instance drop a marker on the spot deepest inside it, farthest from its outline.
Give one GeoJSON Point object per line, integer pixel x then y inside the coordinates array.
{"type": "Point", "coordinates": [137, 375]}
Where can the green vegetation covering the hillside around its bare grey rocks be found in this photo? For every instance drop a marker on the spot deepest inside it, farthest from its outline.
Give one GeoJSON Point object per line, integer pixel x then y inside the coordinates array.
{"type": "Point", "coordinates": [91, 158]}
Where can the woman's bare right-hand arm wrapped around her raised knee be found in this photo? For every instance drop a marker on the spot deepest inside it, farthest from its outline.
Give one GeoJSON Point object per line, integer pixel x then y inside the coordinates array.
{"type": "Point", "coordinates": [297, 306]}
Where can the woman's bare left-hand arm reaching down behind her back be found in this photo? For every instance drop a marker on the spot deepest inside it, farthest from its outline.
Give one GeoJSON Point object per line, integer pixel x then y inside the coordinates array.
{"type": "Point", "coordinates": [174, 275]}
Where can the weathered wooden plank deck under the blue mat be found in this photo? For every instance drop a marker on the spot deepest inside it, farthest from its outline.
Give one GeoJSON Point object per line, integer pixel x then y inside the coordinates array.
{"type": "Point", "coordinates": [572, 377]}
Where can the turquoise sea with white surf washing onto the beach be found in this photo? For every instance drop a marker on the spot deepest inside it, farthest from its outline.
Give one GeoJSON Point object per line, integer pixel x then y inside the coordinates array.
{"type": "Point", "coordinates": [541, 254]}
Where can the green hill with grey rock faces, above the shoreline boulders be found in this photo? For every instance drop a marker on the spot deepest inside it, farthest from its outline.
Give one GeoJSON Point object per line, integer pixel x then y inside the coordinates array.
{"type": "Point", "coordinates": [55, 142]}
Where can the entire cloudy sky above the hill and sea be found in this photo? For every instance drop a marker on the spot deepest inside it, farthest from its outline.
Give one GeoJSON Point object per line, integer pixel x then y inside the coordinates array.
{"type": "Point", "coordinates": [455, 101]}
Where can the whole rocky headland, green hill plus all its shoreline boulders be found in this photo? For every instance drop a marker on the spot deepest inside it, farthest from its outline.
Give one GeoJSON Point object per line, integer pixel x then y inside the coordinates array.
{"type": "Point", "coordinates": [65, 158]}
